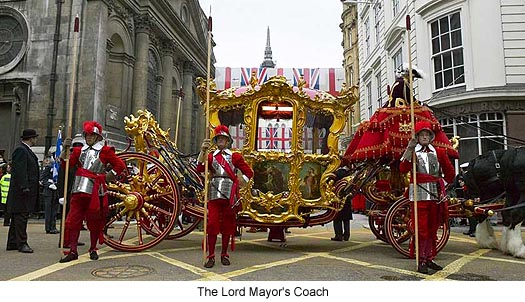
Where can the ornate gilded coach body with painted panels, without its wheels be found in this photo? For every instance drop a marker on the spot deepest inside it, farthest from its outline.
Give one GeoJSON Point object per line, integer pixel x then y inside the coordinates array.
{"type": "Point", "coordinates": [289, 136]}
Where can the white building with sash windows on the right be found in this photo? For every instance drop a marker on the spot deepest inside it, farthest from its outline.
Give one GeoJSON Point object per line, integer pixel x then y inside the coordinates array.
{"type": "Point", "coordinates": [473, 54]}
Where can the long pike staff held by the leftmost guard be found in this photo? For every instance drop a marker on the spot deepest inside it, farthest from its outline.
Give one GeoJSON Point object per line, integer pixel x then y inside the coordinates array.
{"type": "Point", "coordinates": [72, 82]}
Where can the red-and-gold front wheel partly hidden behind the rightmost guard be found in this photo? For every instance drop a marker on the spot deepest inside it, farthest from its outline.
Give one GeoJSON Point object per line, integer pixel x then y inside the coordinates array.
{"type": "Point", "coordinates": [397, 228]}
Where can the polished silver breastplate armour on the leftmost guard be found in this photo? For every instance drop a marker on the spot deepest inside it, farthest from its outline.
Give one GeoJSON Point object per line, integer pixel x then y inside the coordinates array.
{"type": "Point", "coordinates": [89, 160]}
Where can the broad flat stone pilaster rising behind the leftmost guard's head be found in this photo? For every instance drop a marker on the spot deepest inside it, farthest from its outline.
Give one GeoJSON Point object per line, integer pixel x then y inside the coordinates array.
{"type": "Point", "coordinates": [91, 88]}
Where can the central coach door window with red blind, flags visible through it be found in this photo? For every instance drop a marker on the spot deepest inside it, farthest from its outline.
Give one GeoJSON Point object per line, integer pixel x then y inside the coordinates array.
{"type": "Point", "coordinates": [274, 127]}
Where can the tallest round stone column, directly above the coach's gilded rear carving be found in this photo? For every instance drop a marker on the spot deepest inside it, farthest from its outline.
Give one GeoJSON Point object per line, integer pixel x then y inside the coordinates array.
{"type": "Point", "coordinates": [140, 71]}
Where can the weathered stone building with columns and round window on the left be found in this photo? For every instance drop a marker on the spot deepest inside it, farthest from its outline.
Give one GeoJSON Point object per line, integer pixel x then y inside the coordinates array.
{"type": "Point", "coordinates": [131, 55]}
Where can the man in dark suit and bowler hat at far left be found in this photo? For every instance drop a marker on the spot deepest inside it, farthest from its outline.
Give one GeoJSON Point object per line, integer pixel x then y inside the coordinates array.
{"type": "Point", "coordinates": [23, 191]}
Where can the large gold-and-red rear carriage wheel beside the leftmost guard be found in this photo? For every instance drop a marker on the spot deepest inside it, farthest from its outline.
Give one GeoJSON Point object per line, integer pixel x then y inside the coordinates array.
{"type": "Point", "coordinates": [144, 205]}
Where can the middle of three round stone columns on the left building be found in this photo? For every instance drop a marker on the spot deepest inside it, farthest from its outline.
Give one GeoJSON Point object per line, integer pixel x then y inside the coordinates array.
{"type": "Point", "coordinates": [167, 106]}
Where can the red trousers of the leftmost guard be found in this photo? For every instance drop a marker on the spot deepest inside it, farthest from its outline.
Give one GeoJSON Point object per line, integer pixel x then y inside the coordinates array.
{"type": "Point", "coordinates": [78, 211]}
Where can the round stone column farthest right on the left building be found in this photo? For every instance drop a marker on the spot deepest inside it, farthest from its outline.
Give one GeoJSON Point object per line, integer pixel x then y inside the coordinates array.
{"type": "Point", "coordinates": [185, 130]}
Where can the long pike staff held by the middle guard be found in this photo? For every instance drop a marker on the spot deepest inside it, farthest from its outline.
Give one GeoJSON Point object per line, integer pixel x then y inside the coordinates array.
{"type": "Point", "coordinates": [206, 164]}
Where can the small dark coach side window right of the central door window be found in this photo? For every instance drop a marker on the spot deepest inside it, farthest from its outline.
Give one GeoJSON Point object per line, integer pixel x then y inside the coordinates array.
{"type": "Point", "coordinates": [315, 132]}
